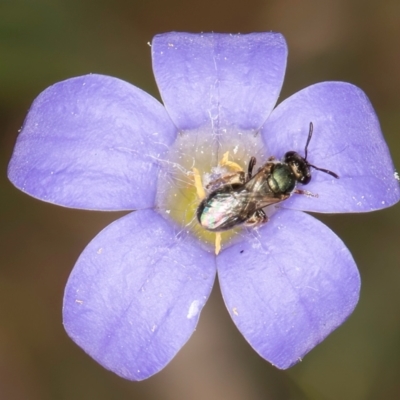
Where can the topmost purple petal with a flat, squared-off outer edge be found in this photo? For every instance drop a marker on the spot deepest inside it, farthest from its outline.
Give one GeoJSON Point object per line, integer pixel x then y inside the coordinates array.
{"type": "Point", "coordinates": [219, 80]}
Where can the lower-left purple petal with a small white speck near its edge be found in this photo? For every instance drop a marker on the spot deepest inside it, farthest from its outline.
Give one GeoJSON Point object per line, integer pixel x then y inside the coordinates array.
{"type": "Point", "coordinates": [135, 294]}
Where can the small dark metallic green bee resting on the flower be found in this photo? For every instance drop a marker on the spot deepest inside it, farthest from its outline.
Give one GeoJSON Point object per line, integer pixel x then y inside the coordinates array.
{"type": "Point", "coordinates": [241, 197]}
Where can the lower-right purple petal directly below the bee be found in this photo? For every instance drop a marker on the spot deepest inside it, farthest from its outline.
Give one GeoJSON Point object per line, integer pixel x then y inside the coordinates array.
{"type": "Point", "coordinates": [288, 285]}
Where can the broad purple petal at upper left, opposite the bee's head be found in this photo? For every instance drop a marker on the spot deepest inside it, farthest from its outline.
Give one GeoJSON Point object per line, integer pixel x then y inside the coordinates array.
{"type": "Point", "coordinates": [92, 142]}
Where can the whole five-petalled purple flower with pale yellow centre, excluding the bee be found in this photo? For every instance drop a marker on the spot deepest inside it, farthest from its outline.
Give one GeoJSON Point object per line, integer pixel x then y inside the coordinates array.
{"type": "Point", "coordinates": [135, 294]}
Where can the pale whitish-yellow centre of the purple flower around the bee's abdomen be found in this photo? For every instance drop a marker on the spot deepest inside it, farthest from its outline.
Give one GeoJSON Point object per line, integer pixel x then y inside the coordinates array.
{"type": "Point", "coordinates": [197, 158]}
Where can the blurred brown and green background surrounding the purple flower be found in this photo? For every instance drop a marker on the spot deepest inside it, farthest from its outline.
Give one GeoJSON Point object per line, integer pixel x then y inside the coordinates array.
{"type": "Point", "coordinates": [45, 41]}
